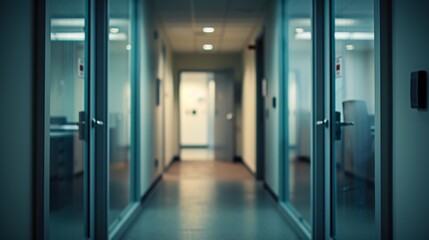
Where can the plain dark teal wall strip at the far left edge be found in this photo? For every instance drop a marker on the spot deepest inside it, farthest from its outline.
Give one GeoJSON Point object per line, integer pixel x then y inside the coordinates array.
{"type": "Point", "coordinates": [16, 119]}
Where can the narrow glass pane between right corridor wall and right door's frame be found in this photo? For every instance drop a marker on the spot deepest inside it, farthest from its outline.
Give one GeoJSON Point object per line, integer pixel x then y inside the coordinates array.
{"type": "Point", "coordinates": [300, 105]}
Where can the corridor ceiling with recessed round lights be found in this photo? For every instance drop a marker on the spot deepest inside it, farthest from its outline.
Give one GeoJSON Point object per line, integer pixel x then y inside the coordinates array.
{"type": "Point", "coordinates": [234, 22]}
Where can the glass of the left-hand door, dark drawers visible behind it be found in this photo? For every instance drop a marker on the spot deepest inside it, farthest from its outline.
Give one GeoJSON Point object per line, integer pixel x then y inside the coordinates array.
{"type": "Point", "coordinates": [67, 100]}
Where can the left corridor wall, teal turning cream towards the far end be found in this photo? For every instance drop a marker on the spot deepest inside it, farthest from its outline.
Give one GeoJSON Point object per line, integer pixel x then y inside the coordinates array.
{"type": "Point", "coordinates": [158, 138]}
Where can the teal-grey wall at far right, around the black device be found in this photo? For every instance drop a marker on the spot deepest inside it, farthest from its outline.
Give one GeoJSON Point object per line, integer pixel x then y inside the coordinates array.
{"type": "Point", "coordinates": [410, 127]}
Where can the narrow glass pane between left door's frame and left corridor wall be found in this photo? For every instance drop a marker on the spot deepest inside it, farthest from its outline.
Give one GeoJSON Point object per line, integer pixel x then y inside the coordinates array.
{"type": "Point", "coordinates": [119, 107]}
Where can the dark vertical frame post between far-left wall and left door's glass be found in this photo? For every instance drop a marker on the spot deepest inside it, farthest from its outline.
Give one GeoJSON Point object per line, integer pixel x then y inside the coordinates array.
{"type": "Point", "coordinates": [40, 132]}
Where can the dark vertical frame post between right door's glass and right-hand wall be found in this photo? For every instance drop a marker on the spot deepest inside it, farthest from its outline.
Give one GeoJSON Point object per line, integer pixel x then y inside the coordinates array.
{"type": "Point", "coordinates": [384, 120]}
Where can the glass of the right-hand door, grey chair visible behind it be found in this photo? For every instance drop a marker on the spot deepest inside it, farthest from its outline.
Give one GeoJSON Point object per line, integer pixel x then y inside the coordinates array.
{"type": "Point", "coordinates": [355, 109]}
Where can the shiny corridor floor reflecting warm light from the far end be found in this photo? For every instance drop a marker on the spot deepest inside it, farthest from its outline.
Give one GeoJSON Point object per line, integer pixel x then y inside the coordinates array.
{"type": "Point", "coordinates": [204, 200]}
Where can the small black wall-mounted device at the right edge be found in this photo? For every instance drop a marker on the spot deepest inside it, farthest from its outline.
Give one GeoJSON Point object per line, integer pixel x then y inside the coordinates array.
{"type": "Point", "coordinates": [418, 89]}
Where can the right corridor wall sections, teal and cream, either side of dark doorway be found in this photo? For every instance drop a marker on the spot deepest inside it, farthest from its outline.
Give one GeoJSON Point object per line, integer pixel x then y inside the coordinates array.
{"type": "Point", "coordinates": [272, 76]}
